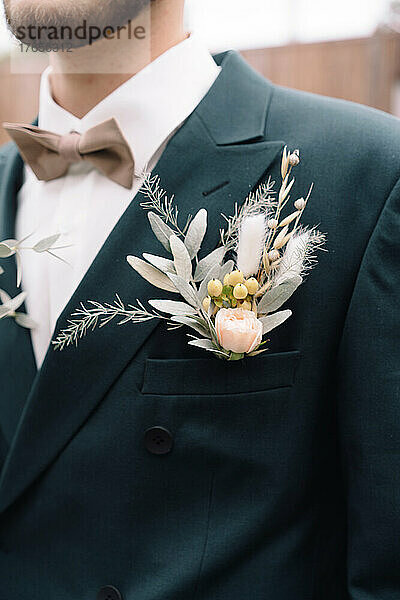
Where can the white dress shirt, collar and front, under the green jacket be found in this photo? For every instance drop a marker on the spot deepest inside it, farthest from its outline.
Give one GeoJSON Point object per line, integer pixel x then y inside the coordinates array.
{"type": "Point", "coordinates": [84, 206]}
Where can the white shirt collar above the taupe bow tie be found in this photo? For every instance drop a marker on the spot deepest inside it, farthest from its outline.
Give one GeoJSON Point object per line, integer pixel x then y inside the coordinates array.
{"type": "Point", "coordinates": [150, 106]}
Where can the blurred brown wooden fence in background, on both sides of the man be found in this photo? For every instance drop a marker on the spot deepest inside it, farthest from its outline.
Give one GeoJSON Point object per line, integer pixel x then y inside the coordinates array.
{"type": "Point", "coordinates": [363, 70]}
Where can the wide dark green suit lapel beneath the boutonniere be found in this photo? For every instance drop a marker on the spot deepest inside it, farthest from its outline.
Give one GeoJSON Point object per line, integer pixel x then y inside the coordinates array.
{"type": "Point", "coordinates": [219, 170]}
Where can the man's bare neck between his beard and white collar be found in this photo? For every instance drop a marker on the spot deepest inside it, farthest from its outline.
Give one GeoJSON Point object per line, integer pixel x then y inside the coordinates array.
{"type": "Point", "coordinates": [83, 77]}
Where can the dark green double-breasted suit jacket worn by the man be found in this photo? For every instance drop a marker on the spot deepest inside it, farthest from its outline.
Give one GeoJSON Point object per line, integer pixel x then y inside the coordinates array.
{"type": "Point", "coordinates": [283, 477]}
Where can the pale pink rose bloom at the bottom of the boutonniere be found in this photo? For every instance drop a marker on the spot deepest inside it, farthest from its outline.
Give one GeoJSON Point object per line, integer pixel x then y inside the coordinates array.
{"type": "Point", "coordinates": [238, 329]}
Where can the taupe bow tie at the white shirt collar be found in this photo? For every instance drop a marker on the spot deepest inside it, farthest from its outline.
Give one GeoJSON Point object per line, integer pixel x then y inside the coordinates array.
{"type": "Point", "coordinates": [49, 155]}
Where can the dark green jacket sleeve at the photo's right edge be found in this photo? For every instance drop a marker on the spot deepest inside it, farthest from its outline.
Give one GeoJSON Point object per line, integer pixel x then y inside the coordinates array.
{"type": "Point", "coordinates": [369, 414]}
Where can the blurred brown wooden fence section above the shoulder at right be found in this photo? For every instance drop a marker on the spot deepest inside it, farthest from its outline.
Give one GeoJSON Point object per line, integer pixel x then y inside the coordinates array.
{"type": "Point", "coordinates": [362, 70]}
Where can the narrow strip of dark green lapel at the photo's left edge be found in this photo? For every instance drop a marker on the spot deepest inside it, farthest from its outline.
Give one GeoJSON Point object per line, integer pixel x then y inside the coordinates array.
{"type": "Point", "coordinates": [17, 363]}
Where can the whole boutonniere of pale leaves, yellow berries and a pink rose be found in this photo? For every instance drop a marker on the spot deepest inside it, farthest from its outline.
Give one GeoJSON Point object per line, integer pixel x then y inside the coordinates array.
{"type": "Point", "coordinates": [229, 299]}
